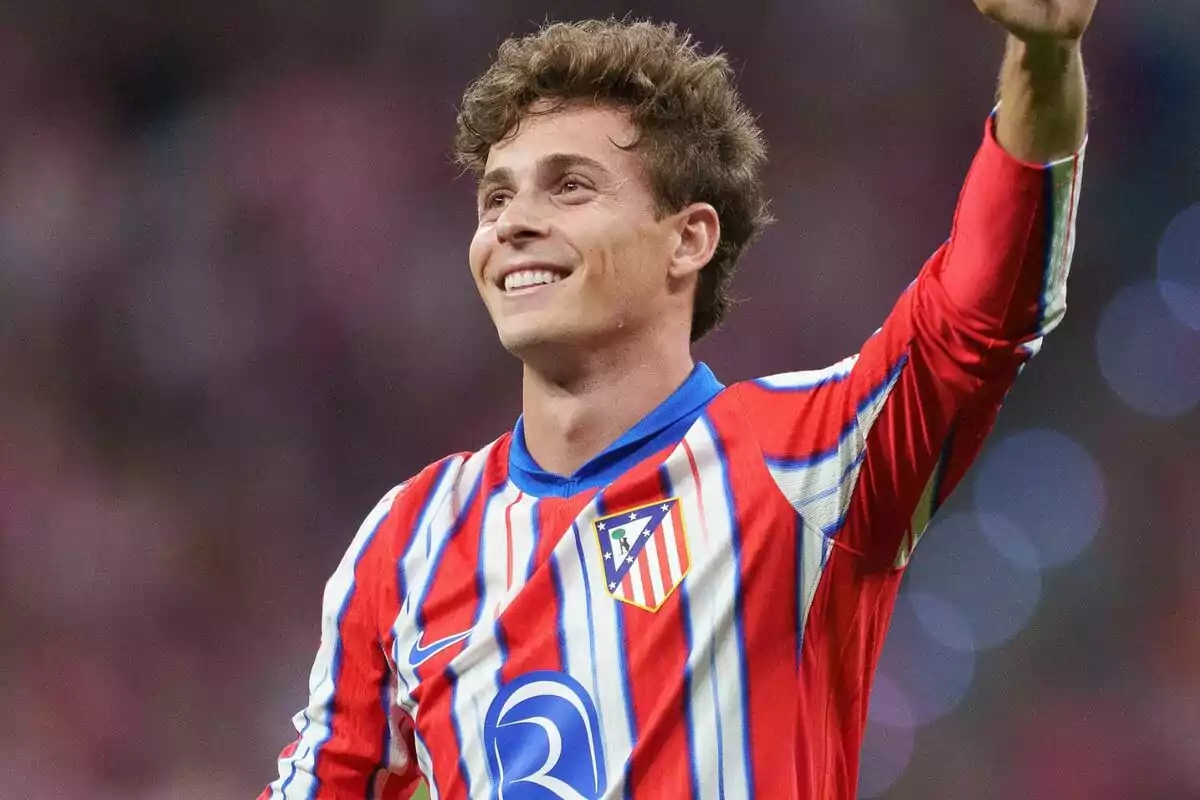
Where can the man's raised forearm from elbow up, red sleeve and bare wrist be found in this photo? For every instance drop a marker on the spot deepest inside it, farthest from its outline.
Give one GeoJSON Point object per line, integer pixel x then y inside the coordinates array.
{"type": "Point", "coordinates": [1016, 215]}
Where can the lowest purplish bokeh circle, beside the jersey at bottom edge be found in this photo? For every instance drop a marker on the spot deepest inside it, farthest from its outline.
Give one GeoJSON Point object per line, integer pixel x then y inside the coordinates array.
{"type": "Point", "coordinates": [889, 742]}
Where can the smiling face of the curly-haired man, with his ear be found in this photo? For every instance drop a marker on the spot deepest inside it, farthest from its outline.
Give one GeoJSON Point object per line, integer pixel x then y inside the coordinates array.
{"type": "Point", "coordinates": [569, 251]}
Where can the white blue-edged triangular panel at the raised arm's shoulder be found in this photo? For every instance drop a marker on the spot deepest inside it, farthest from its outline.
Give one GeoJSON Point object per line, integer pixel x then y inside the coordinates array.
{"type": "Point", "coordinates": [820, 491]}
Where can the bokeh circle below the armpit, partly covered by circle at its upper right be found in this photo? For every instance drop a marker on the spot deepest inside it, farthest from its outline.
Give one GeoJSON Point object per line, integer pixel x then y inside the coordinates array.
{"type": "Point", "coordinates": [931, 676]}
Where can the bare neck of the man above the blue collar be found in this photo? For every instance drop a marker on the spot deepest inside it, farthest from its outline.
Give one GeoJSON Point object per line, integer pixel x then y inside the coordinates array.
{"type": "Point", "coordinates": [567, 424]}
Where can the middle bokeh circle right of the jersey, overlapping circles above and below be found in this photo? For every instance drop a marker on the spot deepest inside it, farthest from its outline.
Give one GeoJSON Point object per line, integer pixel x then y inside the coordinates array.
{"type": "Point", "coordinates": [961, 567]}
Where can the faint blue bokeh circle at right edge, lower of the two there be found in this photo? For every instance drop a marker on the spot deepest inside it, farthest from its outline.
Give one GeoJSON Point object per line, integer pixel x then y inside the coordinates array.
{"type": "Point", "coordinates": [1150, 359]}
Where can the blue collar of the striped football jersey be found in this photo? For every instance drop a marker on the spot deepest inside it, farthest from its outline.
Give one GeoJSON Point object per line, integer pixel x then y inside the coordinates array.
{"type": "Point", "coordinates": [667, 424]}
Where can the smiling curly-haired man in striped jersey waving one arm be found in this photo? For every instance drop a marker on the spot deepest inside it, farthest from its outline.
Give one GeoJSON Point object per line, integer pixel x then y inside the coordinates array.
{"type": "Point", "coordinates": [657, 586]}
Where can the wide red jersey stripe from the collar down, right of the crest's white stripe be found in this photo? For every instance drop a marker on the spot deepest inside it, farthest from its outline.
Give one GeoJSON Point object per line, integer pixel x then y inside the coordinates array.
{"type": "Point", "coordinates": [767, 578]}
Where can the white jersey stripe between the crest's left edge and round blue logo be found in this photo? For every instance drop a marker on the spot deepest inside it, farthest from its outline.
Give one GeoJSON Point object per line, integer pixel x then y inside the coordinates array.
{"type": "Point", "coordinates": [593, 645]}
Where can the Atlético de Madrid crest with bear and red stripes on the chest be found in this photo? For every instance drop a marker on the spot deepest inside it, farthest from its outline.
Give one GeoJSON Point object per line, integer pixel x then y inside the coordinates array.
{"type": "Point", "coordinates": [645, 554]}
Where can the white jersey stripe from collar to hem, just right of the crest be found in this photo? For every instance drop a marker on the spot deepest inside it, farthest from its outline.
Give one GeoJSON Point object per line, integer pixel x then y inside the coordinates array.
{"type": "Point", "coordinates": [718, 706]}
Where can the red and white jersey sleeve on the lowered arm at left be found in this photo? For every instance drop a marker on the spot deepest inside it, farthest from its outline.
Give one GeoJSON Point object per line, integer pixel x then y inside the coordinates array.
{"type": "Point", "coordinates": [353, 742]}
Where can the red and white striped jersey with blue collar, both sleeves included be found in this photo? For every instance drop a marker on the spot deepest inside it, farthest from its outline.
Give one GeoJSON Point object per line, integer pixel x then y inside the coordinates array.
{"type": "Point", "coordinates": [698, 612]}
